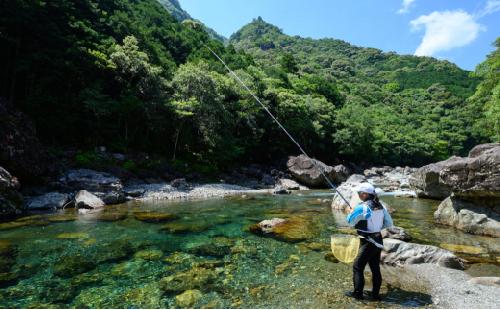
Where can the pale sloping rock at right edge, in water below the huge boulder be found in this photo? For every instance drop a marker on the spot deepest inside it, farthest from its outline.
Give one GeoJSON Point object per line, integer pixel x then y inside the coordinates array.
{"type": "Point", "coordinates": [476, 217]}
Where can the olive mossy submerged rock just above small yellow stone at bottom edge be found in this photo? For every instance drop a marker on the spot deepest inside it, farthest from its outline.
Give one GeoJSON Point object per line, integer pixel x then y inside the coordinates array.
{"type": "Point", "coordinates": [195, 278]}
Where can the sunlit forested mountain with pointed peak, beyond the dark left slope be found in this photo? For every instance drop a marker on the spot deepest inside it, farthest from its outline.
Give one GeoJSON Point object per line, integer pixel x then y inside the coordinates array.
{"type": "Point", "coordinates": [394, 106]}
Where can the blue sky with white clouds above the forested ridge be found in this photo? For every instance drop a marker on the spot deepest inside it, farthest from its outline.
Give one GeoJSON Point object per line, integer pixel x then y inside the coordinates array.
{"type": "Point", "coordinates": [461, 31]}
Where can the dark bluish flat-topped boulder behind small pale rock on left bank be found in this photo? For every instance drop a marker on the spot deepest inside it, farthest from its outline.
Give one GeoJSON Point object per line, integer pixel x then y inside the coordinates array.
{"type": "Point", "coordinates": [103, 185]}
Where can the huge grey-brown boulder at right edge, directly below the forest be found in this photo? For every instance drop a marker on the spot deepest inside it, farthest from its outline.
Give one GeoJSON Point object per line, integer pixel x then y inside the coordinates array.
{"type": "Point", "coordinates": [475, 176]}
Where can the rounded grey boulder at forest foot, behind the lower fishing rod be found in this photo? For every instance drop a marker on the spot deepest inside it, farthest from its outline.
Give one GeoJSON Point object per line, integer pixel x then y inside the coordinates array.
{"type": "Point", "coordinates": [308, 171]}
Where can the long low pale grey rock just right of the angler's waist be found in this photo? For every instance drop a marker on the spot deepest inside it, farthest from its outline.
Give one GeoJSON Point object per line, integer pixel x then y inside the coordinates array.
{"type": "Point", "coordinates": [398, 252]}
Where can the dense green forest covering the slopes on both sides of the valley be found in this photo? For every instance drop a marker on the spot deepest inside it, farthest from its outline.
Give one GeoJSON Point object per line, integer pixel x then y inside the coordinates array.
{"type": "Point", "coordinates": [128, 75]}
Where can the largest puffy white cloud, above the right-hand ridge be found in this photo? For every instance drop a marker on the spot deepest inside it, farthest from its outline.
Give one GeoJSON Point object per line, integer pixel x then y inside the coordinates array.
{"type": "Point", "coordinates": [445, 30]}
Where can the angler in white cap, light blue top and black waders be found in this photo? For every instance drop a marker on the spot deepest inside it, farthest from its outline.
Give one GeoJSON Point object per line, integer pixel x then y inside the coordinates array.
{"type": "Point", "coordinates": [369, 218]}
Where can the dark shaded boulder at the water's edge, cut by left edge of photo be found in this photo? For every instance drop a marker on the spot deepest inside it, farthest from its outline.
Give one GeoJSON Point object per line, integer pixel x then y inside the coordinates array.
{"type": "Point", "coordinates": [11, 201]}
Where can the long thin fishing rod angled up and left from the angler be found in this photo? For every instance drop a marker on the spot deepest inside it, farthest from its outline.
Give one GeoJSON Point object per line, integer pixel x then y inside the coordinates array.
{"type": "Point", "coordinates": [279, 124]}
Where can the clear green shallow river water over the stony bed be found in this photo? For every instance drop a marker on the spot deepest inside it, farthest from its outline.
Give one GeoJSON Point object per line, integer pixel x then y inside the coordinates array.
{"type": "Point", "coordinates": [114, 260]}
